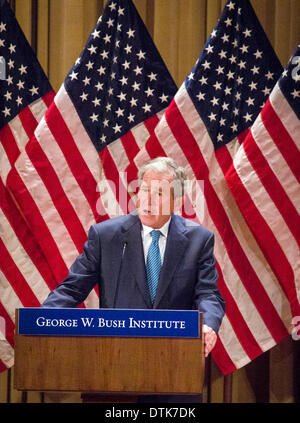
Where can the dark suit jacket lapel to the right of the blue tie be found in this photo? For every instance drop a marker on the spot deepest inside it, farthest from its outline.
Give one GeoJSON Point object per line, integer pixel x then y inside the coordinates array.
{"type": "Point", "coordinates": [175, 248]}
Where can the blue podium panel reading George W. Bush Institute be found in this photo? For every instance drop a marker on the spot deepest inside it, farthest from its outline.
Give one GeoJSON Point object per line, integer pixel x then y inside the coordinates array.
{"type": "Point", "coordinates": [109, 322]}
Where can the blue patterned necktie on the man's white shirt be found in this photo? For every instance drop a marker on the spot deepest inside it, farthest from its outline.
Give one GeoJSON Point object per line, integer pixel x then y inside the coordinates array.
{"type": "Point", "coordinates": [153, 264]}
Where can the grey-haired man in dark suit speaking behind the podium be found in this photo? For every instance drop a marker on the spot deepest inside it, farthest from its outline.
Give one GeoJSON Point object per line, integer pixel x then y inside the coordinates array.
{"type": "Point", "coordinates": [133, 270]}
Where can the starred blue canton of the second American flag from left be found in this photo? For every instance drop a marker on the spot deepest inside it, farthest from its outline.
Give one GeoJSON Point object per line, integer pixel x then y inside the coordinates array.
{"type": "Point", "coordinates": [119, 80]}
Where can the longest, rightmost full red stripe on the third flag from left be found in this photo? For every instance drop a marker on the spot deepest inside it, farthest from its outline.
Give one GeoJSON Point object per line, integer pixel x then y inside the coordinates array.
{"type": "Point", "coordinates": [237, 255]}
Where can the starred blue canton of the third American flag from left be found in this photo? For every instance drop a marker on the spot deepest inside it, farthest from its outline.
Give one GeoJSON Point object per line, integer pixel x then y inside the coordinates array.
{"type": "Point", "coordinates": [234, 74]}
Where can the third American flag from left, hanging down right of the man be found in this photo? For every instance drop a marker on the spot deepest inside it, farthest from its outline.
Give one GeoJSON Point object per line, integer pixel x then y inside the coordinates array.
{"type": "Point", "coordinates": [202, 129]}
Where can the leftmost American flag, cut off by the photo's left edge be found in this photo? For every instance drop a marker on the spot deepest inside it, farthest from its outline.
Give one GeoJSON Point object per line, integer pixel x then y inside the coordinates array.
{"type": "Point", "coordinates": [25, 276]}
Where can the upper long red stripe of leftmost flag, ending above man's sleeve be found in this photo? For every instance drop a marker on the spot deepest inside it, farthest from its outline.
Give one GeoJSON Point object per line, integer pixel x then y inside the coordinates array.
{"type": "Point", "coordinates": [25, 236]}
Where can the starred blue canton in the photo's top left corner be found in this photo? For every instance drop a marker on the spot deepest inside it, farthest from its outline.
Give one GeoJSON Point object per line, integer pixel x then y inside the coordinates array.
{"type": "Point", "coordinates": [22, 79]}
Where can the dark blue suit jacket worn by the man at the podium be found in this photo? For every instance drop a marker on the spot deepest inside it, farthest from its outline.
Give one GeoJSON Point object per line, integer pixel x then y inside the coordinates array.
{"type": "Point", "coordinates": [113, 258]}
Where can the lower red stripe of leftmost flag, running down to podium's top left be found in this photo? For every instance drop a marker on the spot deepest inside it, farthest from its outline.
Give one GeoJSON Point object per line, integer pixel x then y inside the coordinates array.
{"type": "Point", "coordinates": [12, 273]}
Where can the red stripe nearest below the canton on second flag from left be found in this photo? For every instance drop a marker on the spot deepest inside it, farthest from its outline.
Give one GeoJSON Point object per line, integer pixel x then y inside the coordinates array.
{"type": "Point", "coordinates": [78, 166]}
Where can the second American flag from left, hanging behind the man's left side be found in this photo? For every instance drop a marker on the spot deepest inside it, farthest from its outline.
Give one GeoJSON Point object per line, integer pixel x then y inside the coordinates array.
{"type": "Point", "coordinates": [70, 175]}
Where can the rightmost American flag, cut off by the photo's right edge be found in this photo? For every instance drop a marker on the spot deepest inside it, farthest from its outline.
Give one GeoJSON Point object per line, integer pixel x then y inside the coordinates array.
{"type": "Point", "coordinates": [270, 199]}
